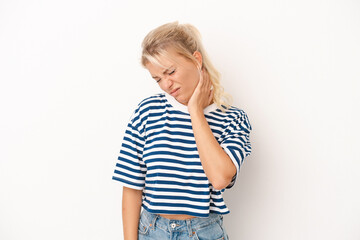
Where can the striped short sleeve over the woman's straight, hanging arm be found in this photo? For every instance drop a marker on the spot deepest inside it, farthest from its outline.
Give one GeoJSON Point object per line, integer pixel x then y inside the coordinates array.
{"type": "Point", "coordinates": [130, 169]}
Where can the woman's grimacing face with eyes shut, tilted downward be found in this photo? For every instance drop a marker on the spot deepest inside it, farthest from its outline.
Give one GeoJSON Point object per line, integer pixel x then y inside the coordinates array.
{"type": "Point", "coordinates": [180, 76]}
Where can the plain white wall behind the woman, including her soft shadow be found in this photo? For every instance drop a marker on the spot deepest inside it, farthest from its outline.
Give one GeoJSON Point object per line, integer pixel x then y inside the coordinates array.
{"type": "Point", "coordinates": [70, 79]}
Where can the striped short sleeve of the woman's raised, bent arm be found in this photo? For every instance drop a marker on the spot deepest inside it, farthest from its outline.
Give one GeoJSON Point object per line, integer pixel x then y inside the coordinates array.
{"type": "Point", "coordinates": [236, 141]}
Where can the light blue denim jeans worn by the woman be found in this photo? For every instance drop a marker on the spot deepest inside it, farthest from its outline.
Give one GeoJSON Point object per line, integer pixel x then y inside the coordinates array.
{"type": "Point", "coordinates": [153, 226]}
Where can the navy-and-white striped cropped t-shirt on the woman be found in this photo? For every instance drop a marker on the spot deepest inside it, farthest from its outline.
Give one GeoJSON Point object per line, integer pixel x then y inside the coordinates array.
{"type": "Point", "coordinates": [159, 156]}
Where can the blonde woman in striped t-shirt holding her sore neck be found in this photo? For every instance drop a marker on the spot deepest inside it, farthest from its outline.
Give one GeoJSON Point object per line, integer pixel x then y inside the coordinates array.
{"type": "Point", "coordinates": [183, 147]}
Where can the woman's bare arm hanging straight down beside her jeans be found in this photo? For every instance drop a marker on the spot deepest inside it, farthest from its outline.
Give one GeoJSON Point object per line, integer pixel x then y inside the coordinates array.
{"type": "Point", "coordinates": [131, 208]}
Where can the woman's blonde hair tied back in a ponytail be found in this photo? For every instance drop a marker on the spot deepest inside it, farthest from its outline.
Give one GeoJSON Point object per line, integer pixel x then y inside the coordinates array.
{"type": "Point", "coordinates": [185, 39]}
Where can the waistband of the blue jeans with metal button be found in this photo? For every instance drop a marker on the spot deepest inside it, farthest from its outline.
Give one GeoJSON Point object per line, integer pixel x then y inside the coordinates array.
{"type": "Point", "coordinates": [171, 225]}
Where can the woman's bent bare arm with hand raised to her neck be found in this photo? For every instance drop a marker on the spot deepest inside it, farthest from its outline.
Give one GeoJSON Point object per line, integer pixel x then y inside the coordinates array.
{"type": "Point", "coordinates": [217, 165]}
